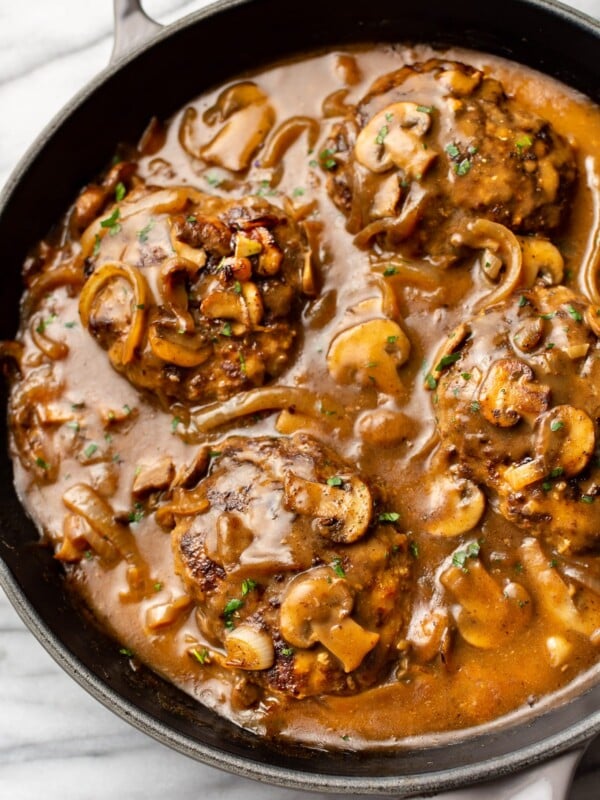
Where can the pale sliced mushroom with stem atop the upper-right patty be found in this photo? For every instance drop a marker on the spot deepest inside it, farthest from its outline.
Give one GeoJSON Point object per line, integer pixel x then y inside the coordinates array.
{"type": "Point", "coordinates": [394, 137]}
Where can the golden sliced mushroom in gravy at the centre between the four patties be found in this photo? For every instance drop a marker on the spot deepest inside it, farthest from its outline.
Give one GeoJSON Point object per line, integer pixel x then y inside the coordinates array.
{"type": "Point", "coordinates": [370, 353]}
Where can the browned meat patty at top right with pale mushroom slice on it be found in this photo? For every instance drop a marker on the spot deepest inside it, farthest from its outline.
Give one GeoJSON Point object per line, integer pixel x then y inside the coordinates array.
{"type": "Point", "coordinates": [436, 144]}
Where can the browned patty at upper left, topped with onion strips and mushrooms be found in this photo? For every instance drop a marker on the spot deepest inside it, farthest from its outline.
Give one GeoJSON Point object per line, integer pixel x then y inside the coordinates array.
{"type": "Point", "coordinates": [196, 297]}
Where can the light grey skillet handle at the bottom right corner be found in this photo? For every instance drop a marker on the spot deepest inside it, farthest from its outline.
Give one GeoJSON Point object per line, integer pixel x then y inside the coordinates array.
{"type": "Point", "coordinates": [548, 781]}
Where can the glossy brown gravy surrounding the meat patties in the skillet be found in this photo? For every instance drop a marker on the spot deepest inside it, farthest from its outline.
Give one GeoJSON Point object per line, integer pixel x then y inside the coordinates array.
{"type": "Point", "coordinates": [103, 430]}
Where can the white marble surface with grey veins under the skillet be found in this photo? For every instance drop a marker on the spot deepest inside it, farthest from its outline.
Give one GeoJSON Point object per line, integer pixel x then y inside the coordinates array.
{"type": "Point", "coordinates": [55, 740]}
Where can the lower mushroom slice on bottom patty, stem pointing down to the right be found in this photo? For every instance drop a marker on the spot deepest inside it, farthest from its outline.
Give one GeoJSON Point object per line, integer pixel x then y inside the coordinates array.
{"type": "Point", "coordinates": [315, 608]}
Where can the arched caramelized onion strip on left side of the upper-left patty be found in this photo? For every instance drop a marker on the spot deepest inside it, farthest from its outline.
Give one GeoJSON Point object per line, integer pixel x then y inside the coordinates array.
{"type": "Point", "coordinates": [141, 297]}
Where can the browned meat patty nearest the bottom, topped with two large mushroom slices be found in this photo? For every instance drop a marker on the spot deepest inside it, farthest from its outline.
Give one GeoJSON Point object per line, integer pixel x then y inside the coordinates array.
{"type": "Point", "coordinates": [294, 553]}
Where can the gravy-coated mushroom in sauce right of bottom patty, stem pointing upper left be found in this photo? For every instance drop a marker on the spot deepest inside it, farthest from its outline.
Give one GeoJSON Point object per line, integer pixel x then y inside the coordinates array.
{"type": "Point", "coordinates": [486, 615]}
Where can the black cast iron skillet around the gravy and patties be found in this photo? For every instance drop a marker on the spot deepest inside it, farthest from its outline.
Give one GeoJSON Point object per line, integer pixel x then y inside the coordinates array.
{"type": "Point", "coordinates": [161, 71]}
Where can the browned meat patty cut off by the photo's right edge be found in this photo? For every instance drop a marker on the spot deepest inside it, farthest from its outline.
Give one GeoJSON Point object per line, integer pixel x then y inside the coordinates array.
{"type": "Point", "coordinates": [518, 405]}
